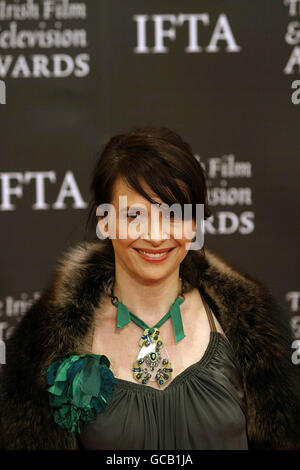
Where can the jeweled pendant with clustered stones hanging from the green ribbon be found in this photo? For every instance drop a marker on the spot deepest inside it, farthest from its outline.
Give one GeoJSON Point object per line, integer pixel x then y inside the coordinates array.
{"type": "Point", "coordinates": [152, 363]}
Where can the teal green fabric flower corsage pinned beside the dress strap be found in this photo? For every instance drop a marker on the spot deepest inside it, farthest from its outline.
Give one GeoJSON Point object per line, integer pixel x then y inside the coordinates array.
{"type": "Point", "coordinates": [79, 387]}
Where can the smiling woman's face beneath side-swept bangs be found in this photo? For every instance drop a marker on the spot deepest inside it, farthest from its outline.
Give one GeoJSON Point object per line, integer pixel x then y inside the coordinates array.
{"type": "Point", "coordinates": [139, 265]}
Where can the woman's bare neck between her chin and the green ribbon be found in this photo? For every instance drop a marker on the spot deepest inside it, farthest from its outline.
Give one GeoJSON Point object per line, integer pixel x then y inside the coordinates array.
{"type": "Point", "coordinates": [149, 300]}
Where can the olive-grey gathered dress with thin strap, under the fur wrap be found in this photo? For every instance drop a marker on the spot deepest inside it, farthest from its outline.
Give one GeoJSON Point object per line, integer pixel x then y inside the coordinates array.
{"type": "Point", "coordinates": [203, 408]}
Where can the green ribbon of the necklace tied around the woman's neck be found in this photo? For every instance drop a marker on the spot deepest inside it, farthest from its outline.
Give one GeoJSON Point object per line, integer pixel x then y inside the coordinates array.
{"type": "Point", "coordinates": [124, 316]}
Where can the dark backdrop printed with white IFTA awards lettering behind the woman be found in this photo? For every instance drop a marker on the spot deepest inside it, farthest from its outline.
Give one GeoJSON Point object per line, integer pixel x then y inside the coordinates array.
{"type": "Point", "coordinates": [224, 74]}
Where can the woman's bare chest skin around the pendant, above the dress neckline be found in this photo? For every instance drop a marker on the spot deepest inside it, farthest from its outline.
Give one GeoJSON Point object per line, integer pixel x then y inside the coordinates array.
{"type": "Point", "coordinates": [121, 346]}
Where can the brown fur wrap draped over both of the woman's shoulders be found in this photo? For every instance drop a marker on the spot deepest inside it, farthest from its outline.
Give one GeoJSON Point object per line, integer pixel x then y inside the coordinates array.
{"type": "Point", "coordinates": [61, 321]}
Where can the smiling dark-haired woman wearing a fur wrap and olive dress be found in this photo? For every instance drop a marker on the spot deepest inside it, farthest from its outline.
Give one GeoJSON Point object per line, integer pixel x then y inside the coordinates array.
{"type": "Point", "coordinates": [133, 349]}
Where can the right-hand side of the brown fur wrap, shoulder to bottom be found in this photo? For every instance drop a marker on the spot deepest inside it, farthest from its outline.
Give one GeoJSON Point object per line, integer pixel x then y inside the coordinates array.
{"type": "Point", "coordinates": [260, 333]}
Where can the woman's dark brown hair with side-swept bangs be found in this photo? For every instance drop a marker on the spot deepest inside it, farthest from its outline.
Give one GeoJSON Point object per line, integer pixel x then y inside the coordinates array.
{"type": "Point", "coordinates": [156, 155]}
